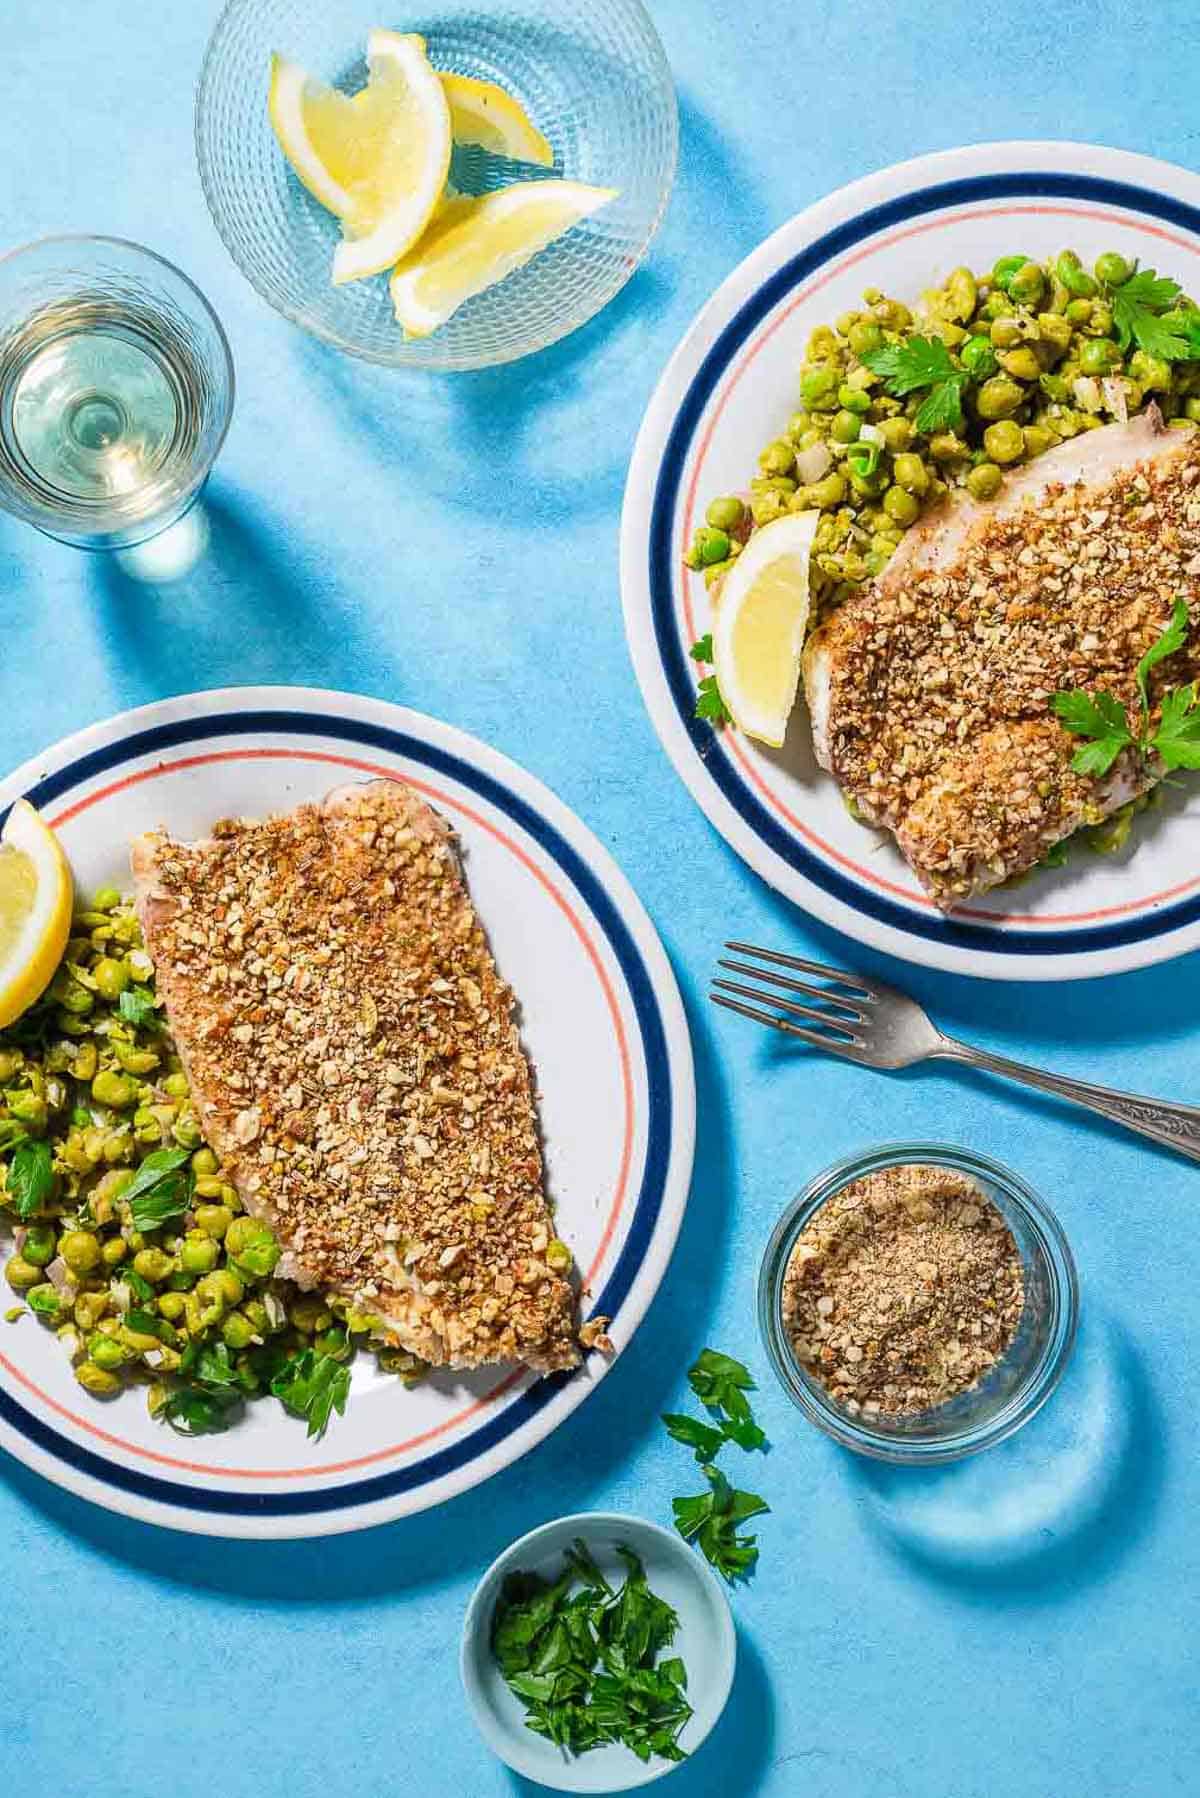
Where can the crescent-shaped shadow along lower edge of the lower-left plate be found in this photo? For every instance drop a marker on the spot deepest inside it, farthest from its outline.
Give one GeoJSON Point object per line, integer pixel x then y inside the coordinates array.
{"type": "Point", "coordinates": [461, 1538]}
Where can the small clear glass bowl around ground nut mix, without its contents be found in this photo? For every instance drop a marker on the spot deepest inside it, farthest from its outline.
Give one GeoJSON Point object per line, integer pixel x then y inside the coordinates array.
{"type": "Point", "coordinates": [1023, 1378]}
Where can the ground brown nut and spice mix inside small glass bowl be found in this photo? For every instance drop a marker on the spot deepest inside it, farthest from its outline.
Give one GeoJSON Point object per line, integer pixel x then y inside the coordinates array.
{"type": "Point", "coordinates": [904, 1290]}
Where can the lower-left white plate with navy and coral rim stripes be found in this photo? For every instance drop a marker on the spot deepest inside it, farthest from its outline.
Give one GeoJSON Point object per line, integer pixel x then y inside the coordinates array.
{"type": "Point", "coordinates": [600, 1015]}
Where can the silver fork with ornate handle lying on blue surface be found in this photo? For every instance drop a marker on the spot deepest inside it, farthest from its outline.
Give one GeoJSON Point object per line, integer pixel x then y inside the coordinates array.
{"type": "Point", "coordinates": [873, 1024]}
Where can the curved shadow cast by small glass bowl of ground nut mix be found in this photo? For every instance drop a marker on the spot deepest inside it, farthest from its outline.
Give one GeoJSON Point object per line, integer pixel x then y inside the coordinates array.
{"type": "Point", "coordinates": [1052, 1511]}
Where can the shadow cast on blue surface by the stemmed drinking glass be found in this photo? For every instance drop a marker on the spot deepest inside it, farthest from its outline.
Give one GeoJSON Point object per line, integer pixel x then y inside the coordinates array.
{"type": "Point", "coordinates": [258, 607]}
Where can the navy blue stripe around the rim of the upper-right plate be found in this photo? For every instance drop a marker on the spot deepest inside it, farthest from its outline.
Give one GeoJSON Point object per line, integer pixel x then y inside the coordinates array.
{"type": "Point", "coordinates": [706, 743]}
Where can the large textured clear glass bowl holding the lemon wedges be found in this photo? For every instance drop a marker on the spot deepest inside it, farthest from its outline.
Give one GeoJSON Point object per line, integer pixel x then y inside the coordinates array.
{"type": "Point", "coordinates": [591, 75]}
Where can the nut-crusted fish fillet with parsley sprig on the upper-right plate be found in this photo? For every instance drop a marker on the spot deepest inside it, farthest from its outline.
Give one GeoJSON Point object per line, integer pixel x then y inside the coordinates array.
{"type": "Point", "coordinates": [931, 690]}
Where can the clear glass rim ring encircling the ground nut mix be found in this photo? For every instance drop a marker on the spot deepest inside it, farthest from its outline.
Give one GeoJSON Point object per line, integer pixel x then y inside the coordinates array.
{"type": "Point", "coordinates": [1059, 1337]}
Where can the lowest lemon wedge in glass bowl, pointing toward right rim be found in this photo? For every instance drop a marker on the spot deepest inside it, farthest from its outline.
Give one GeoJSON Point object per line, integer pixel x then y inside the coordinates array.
{"type": "Point", "coordinates": [478, 242]}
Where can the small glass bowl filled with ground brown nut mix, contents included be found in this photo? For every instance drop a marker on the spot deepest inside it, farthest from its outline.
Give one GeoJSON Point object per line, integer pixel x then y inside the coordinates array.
{"type": "Point", "coordinates": [918, 1303]}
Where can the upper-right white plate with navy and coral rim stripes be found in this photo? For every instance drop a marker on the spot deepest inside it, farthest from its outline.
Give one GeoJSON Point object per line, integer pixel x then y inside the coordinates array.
{"type": "Point", "coordinates": [730, 389]}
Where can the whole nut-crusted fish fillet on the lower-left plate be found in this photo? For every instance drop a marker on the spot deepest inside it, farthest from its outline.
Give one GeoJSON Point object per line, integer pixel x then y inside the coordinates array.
{"type": "Point", "coordinates": [355, 1064]}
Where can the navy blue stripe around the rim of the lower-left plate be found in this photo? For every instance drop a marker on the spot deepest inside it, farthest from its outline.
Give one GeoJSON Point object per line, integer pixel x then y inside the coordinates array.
{"type": "Point", "coordinates": [645, 1218]}
